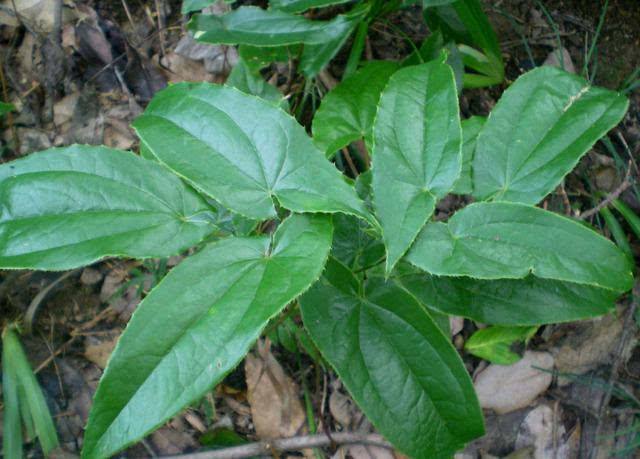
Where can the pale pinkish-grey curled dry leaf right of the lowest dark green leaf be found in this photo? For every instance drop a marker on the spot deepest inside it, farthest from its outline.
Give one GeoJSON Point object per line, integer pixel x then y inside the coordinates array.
{"type": "Point", "coordinates": [508, 388]}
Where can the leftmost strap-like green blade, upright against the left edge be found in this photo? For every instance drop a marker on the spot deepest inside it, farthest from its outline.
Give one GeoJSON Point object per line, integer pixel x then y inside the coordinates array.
{"type": "Point", "coordinates": [12, 429]}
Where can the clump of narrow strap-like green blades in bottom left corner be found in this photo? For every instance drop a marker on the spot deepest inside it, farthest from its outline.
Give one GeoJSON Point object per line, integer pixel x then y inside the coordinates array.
{"type": "Point", "coordinates": [24, 402]}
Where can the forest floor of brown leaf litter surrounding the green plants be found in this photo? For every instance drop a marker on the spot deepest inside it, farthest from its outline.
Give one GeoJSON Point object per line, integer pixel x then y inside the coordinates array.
{"type": "Point", "coordinates": [109, 59]}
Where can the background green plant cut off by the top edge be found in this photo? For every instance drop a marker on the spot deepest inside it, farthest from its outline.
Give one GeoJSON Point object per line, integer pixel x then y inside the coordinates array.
{"type": "Point", "coordinates": [281, 33]}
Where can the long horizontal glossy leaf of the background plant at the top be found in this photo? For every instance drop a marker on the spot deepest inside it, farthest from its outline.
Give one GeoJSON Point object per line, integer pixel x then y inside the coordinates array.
{"type": "Point", "coordinates": [250, 25]}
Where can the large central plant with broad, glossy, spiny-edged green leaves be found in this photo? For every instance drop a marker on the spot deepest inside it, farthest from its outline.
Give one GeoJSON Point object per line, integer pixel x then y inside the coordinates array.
{"type": "Point", "coordinates": [374, 274]}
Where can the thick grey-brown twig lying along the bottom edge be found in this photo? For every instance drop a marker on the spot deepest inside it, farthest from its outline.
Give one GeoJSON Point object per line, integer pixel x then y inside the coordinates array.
{"type": "Point", "coordinates": [289, 444]}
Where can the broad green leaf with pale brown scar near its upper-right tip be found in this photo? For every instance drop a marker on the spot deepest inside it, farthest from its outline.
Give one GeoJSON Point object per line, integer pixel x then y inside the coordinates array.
{"type": "Point", "coordinates": [538, 131]}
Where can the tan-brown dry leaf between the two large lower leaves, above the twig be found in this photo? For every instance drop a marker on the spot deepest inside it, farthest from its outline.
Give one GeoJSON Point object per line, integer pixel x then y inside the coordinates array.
{"type": "Point", "coordinates": [274, 398]}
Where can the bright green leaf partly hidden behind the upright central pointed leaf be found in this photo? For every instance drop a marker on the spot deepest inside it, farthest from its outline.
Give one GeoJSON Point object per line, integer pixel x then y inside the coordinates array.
{"type": "Point", "coordinates": [347, 112]}
